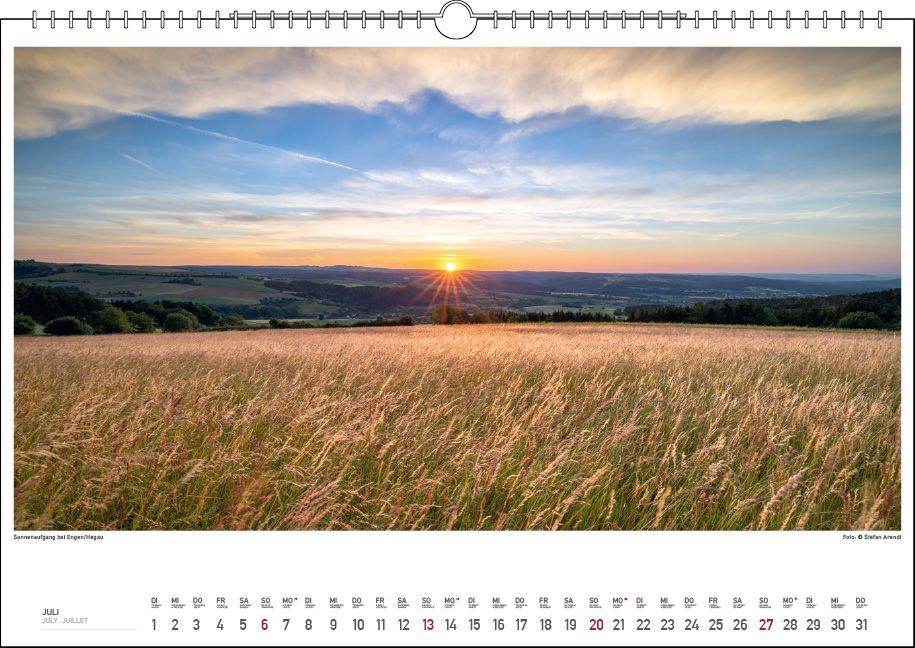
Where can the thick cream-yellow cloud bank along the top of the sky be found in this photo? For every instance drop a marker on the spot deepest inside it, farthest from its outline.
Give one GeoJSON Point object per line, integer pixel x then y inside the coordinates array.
{"type": "Point", "coordinates": [66, 88]}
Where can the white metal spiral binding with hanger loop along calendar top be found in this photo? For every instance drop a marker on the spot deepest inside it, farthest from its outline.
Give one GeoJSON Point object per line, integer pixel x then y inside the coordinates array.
{"type": "Point", "coordinates": [494, 18]}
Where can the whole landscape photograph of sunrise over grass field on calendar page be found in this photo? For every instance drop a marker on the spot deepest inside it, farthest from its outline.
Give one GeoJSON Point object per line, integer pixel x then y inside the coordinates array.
{"type": "Point", "coordinates": [475, 289]}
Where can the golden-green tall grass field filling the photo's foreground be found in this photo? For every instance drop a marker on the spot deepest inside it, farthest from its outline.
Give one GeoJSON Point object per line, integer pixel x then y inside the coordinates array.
{"type": "Point", "coordinates": [463, 427]}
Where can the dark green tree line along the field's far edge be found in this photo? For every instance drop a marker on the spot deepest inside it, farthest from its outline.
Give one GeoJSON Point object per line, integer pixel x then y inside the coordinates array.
{"type": "Point", "coordinates": [67, 312]}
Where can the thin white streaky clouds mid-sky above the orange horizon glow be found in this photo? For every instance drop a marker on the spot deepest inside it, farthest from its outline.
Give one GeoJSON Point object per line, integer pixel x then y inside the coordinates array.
{"type": "Point", "coordinates": [471, 208]}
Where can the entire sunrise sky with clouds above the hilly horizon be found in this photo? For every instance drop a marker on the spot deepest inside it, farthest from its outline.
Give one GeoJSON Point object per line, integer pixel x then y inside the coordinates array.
{"type": "Point", "coordinates": [641, 160]}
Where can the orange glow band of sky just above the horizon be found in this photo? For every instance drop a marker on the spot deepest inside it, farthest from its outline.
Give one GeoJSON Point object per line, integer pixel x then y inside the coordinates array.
{"type": "Point", "coordinates": [875, 254]}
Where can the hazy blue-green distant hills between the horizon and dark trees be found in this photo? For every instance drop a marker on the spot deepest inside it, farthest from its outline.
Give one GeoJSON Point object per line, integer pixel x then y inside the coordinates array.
{"type": "Point", "coordinates": [258, 292]}
